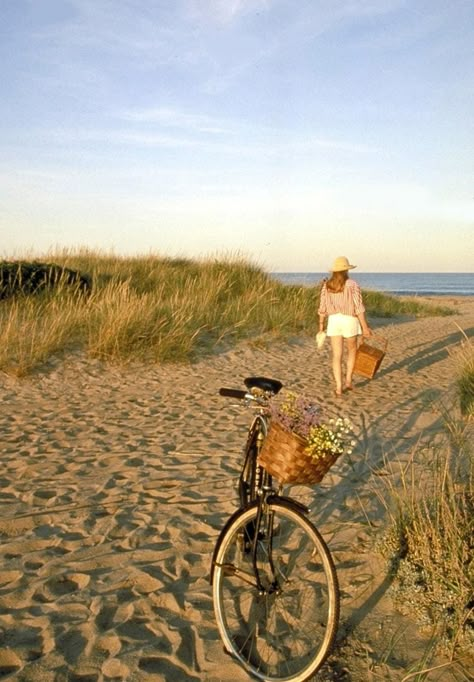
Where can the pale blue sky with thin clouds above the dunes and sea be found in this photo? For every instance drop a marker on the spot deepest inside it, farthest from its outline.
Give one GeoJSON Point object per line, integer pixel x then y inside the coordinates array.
{"type": "Point", "coordinates": [287, 131]}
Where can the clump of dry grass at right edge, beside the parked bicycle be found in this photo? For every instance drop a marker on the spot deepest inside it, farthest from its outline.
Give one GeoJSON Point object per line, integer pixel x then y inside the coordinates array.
{"type": "Point", "coordinates": [430, 536]}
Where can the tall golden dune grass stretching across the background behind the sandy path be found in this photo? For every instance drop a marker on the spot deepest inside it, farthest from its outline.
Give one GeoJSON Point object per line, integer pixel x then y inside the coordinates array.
{"type": "Point", "coordinates": [158, 309]}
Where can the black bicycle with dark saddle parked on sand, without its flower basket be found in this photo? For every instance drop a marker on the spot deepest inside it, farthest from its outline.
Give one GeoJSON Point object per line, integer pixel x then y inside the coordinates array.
{"type": "Point", "coordinates": [275, 589]}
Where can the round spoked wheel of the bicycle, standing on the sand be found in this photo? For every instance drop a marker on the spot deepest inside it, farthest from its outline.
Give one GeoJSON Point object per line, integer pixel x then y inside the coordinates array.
{"type": "Point", "coordinates": [284, 635]}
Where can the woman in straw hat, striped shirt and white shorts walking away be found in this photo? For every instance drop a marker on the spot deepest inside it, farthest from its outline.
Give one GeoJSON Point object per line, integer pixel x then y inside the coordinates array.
{"type": "Point", "coordinates": [341, 302]}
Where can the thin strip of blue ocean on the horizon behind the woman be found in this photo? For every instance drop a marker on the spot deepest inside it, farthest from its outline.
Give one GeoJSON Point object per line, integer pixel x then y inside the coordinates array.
{"type": "Point", "coordinates": [399, 283]}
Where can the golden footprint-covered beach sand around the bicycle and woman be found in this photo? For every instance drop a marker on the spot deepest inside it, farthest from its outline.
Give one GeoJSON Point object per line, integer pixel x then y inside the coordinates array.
{"type": "Point", "coordinates": [115, 483]}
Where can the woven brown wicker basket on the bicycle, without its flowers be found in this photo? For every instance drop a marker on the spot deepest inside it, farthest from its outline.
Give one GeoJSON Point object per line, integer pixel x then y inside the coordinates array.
{"type": "Point", "coordinates": [283, 456]}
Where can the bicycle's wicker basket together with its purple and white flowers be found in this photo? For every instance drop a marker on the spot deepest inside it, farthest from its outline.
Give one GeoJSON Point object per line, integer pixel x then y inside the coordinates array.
{"type": "Point", "coordinates": [300, 446]}
